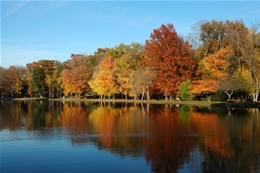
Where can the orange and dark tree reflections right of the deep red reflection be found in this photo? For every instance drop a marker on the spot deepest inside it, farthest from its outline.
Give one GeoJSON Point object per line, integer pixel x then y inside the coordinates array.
{"type": "Point", "coordinates": [230, 143]}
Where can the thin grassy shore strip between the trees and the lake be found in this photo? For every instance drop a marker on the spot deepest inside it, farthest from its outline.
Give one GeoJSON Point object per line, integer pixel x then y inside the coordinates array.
{"type": "Point", "coordinates": [171, 102]}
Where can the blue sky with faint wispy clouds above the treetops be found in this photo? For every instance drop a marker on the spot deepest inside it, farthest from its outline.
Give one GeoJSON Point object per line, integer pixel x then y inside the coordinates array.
{"type": "Point", "coordinates": [53, 30]}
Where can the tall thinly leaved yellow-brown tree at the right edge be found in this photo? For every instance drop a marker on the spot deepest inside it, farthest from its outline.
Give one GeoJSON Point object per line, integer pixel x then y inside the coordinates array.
{"type": "Point", "coordinates": [245, 42]}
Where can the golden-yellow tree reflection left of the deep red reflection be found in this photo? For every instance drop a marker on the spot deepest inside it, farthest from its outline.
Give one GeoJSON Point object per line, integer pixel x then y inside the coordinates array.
{"type": "Point", "coordinates": [120, 130]}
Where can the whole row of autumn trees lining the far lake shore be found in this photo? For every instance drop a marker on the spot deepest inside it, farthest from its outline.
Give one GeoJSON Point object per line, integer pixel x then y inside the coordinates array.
{"type": "Point", "coordinates": [218, 60]}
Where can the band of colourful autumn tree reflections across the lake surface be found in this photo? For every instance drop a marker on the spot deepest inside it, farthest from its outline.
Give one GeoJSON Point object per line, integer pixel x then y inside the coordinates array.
{"type": "Point", "coordinates": [170, 138]}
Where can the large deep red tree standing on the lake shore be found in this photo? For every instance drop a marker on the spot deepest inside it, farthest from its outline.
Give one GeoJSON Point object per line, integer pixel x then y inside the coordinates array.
{"type": "Point", "coordinates": [171, 59]}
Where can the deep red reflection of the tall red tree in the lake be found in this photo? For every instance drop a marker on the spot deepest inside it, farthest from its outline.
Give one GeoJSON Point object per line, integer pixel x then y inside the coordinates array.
{"type": "Point", "coordinates": [169, 145]}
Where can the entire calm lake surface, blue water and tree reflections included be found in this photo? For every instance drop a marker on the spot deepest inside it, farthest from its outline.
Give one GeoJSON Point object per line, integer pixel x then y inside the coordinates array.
{"type": "Point", "coordinates": [41, 136]}
